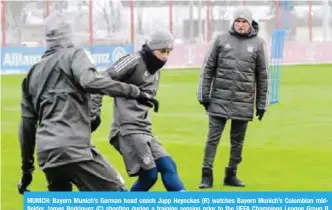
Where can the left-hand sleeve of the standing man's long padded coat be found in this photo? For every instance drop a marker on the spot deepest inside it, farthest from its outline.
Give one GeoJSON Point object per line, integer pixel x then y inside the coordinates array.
{"type": "Point", "coordinates": [207, 72]}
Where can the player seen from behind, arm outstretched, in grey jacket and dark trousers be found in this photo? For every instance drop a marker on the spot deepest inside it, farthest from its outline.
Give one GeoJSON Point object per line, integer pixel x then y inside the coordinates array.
{"type": "Point", "coordinates": [55, 115]}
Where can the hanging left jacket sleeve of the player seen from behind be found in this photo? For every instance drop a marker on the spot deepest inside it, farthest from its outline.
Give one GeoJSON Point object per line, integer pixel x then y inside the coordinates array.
{"type": "Point", "coordinates": [27, 131]}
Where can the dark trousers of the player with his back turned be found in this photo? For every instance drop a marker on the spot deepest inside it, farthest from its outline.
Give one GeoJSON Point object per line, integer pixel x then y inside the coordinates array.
{"type": "Point", "coordinates": [93, 175]}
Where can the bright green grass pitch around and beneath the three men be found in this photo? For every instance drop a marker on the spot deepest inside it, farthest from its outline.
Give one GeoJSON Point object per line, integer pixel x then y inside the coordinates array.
{"type": "Point", "coordinates": [290, 150]}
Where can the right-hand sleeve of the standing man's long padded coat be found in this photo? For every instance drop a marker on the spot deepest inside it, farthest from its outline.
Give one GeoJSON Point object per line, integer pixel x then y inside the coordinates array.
{"type": "Point", "coordinates": [262, 77]}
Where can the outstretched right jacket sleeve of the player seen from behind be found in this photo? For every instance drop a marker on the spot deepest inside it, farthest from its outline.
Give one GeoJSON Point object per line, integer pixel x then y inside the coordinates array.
{"type": "Point", "coordinates": [84, 72]}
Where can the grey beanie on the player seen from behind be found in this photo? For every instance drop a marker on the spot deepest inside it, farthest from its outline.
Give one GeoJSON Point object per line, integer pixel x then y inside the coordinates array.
{"type": "Point", "coordinates": [58, 30]}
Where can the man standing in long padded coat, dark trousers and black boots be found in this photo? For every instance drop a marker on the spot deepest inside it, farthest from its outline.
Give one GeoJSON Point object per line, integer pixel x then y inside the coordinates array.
{"type": "Point", "coordinates": [234, 75]}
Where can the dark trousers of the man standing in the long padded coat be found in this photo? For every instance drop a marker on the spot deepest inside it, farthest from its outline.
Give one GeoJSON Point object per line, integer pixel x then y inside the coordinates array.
{"type": "Point", "coordinates": [216, 128]}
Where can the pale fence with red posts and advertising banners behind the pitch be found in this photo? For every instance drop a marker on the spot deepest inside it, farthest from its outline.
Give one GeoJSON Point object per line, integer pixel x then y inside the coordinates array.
{"type": "Point", "coordinates": [111, 28]}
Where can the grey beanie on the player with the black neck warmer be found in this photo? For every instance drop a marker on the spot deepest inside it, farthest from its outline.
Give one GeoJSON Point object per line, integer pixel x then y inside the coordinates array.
{"type": "Point", "coordinates": [160, 40]}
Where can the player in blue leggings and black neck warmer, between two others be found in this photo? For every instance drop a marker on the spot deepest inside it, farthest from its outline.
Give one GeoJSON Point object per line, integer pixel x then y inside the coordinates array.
{"type": "Point", "coordinates": [131, 131]}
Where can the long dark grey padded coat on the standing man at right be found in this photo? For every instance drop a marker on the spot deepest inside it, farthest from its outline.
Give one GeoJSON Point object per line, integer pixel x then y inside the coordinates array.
{"type": "Point", "coordinates": [234, 75]}
